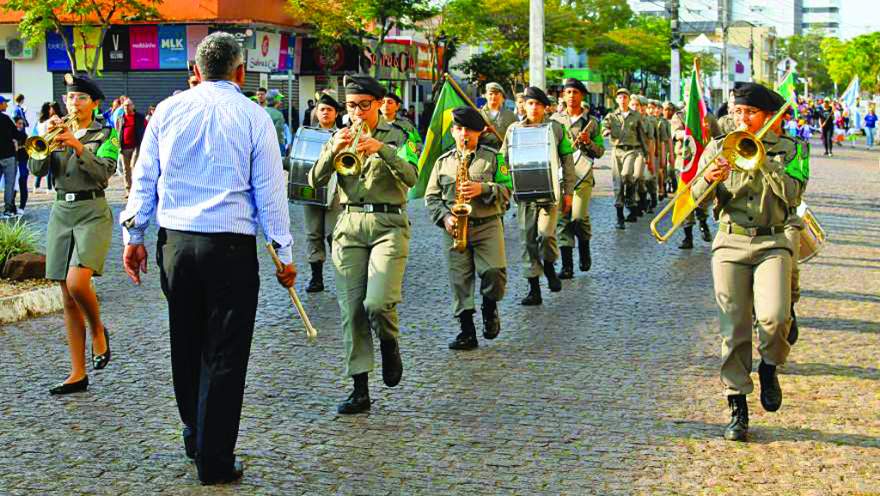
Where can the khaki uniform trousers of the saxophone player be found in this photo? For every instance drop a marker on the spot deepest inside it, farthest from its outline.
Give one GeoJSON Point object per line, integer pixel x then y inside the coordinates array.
{"type": "Point", "coordinates": [484, 257]}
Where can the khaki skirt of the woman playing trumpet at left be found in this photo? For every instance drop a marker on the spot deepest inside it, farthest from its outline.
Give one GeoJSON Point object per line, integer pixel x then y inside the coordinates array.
{"type": "Point", "coordinates": [79, 235]}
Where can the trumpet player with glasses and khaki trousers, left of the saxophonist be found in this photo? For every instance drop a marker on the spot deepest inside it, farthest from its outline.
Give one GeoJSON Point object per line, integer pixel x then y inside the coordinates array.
{"type": "Point", "coordinates": [371, 239]}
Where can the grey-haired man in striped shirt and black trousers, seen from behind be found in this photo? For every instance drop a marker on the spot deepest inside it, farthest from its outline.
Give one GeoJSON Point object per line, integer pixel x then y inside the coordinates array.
{"type": "Point", "coordinates": [210, 170]}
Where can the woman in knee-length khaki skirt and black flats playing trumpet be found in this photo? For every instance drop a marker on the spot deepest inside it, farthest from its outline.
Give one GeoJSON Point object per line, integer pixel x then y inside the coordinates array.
{"type": "Point", "coordinates": [80, 224]}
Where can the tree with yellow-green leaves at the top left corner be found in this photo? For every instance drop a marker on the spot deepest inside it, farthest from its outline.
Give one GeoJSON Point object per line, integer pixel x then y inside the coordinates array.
{"type": "Point", "coordinates": [43, 16]}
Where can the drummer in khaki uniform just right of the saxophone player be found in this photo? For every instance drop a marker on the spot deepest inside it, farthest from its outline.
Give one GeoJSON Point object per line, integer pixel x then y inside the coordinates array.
{"type": "Point", "coordinates": [537, 222]}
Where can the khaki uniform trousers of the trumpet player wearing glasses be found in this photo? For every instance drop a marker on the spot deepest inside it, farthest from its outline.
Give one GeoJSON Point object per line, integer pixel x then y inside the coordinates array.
{"type": "Point", "coordinates": [369, 253]}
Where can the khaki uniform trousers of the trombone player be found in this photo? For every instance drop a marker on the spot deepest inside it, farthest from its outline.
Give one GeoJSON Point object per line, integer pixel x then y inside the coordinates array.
{"type": "Point", "coordinates": [751, 273]}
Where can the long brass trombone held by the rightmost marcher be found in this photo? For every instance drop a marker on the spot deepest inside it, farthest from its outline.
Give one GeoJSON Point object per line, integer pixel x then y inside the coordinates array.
{"type": "Point", "coordinates": [743, 150]}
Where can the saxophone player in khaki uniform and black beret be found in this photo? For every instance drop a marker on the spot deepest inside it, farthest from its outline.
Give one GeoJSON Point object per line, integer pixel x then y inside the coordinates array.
{"type": "Point", "coordinates": [473, 243]}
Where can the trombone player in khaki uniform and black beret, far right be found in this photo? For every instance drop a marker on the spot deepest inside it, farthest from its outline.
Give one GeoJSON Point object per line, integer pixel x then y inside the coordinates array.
{"type": "Point", "coordinates": [751, 257]}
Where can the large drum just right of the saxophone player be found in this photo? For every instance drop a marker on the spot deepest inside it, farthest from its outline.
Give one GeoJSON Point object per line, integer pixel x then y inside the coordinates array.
{"type": "Point", "coordinates": [534, 164]}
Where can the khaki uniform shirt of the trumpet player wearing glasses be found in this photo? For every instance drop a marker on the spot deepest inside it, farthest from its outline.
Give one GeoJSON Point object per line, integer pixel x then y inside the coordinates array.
{"type": "Point", "coordinates": [385, 177]}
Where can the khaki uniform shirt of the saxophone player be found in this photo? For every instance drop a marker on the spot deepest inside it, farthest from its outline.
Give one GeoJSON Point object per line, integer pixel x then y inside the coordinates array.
{"type": "Point", "coordinates": [440, 192]}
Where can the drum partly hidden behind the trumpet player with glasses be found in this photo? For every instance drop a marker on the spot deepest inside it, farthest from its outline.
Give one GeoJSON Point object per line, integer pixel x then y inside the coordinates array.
{"type": "Point", "coordinates": [303, 154]}
